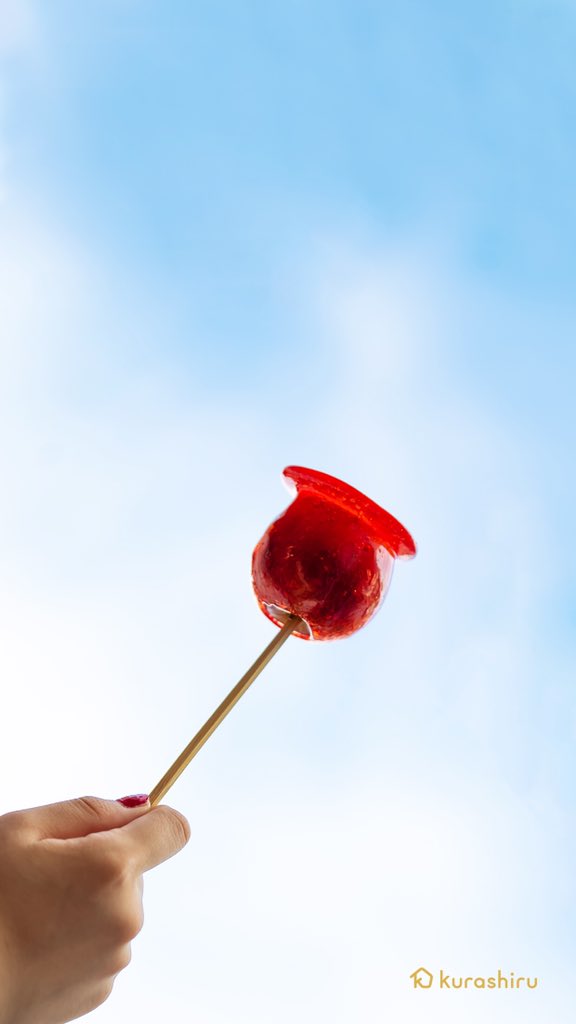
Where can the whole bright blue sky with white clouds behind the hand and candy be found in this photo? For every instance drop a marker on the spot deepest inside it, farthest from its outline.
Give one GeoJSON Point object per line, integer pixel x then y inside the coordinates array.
{"type": "Point", "coordinates": [238, 237]}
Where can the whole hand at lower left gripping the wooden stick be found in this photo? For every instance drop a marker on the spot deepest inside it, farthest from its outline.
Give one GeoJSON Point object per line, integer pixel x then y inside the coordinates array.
{"type": "Point", "coordinates": [71, 902]}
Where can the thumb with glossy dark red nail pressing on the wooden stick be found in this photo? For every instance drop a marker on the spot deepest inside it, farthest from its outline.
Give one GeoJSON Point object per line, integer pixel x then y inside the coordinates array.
{"type": "Point", "coordinates": [73, 819]}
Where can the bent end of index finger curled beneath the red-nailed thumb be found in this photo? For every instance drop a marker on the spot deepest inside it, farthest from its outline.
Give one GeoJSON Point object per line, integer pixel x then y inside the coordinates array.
{"type": "Point", "coordinates": [155, 837]}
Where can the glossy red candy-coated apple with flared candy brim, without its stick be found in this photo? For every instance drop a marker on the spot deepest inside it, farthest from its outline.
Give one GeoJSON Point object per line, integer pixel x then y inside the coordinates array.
{"type": "Point", "coordinates": [328, 559]}
